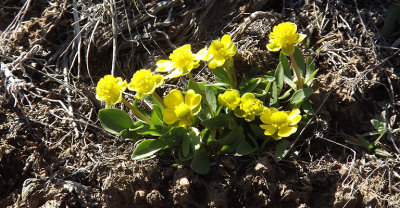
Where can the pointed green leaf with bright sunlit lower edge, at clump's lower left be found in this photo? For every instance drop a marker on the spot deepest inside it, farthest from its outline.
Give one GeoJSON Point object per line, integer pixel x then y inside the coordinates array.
{"type": "Point", "coordinates": [148, 148]}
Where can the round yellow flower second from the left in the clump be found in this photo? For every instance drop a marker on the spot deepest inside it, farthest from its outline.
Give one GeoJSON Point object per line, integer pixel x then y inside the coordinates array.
{"type": "Point", "coordinates": [144, 83]}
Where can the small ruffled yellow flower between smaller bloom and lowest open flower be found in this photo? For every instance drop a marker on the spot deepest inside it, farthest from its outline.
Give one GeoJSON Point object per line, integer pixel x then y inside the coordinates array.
{"type": "Point", "coordinates": [249, 107]}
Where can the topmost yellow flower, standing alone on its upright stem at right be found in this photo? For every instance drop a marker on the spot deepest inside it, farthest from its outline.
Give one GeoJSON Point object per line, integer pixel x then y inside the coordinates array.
{"type": "Point", "coordinates": [284, 36]}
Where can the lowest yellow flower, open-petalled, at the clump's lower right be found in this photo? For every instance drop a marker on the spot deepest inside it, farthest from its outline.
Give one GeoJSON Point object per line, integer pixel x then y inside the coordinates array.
{"type": "Point", "coordinates": [280, 124]}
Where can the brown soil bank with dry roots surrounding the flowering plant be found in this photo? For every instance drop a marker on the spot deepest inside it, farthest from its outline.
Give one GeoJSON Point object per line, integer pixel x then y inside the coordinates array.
{"type": "Point", "coordinates": [53, 152]}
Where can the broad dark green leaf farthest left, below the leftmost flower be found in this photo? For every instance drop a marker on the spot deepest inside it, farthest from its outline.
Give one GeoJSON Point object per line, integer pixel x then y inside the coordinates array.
{"type": "Point", "coordinates": [114, 120]}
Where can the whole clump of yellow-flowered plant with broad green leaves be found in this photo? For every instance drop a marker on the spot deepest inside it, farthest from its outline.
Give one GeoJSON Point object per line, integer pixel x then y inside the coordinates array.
{"type": "Point", "coordinates": [213, 118]}
